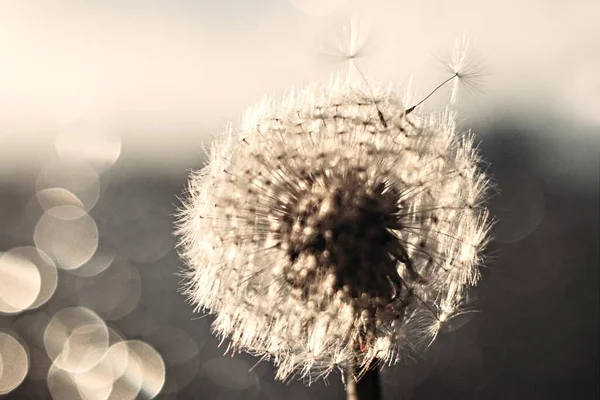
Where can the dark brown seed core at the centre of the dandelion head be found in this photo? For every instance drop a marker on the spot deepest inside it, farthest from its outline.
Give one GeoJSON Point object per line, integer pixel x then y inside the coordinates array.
{"type": "Point", "coordinates": [346, 223]}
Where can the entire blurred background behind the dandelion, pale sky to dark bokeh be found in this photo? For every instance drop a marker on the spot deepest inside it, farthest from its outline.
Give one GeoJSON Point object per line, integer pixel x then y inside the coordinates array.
{"type": "Point", "coordinates": [105, 106]}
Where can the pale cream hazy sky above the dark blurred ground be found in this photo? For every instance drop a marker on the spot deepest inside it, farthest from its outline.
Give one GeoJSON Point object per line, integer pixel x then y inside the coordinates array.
{"type": "Point", "coordinates": [164, 75]}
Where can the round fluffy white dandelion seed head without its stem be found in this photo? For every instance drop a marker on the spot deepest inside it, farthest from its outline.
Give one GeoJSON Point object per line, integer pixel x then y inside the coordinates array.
{"type": "Point", "coordinates": [334, 228]}
